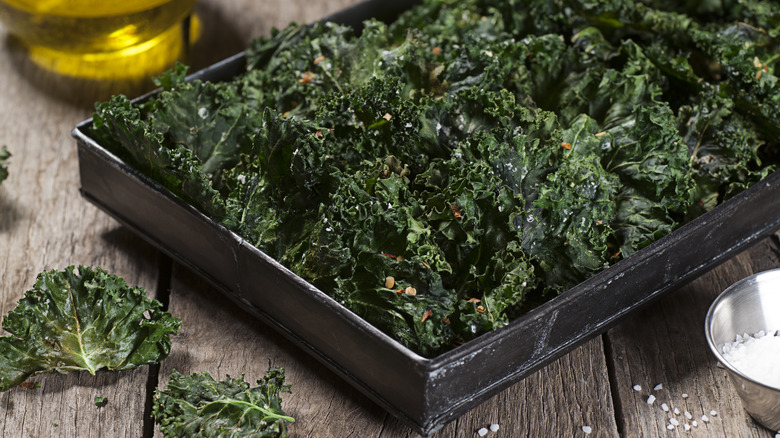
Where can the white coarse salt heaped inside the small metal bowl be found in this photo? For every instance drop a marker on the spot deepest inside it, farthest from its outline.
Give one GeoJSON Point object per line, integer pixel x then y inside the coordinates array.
{"type": "Point", "coordinates": [757, 356]}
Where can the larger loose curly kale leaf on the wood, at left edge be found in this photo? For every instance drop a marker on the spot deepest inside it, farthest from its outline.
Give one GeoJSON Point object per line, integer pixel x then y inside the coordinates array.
{"type": "Point", "coordinates": [82, 320]}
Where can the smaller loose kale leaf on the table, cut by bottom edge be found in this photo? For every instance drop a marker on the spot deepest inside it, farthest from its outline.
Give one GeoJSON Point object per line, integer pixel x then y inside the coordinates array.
{"type": "Point", "coordinates": [199, 406]}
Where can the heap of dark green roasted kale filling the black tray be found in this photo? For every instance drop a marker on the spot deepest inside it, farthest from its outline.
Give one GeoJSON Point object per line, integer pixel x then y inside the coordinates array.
{"type": "Point", "coordinates": [441, 174]}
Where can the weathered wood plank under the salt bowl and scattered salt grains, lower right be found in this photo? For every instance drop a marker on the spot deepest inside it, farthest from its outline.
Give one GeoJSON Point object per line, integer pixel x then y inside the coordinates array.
{"type": "Point", "coordinates": [665, 344]}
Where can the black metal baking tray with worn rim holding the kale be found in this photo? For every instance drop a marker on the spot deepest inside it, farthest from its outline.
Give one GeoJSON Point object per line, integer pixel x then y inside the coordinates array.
{"type": "Point", "coordinates": [425, 393]}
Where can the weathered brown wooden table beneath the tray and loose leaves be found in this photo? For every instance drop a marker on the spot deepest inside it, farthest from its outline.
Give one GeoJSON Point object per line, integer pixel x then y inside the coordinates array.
{"type": "Point", "coordinates": [45, 224]}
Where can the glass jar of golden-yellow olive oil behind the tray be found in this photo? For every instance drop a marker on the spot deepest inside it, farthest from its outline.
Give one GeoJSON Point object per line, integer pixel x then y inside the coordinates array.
{"type": "Point", "coordinates": [101, 38]}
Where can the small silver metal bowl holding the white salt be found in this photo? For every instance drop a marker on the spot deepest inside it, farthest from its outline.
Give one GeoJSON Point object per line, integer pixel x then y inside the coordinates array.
{"type": "Point", "coordinates": [748, 306]}
